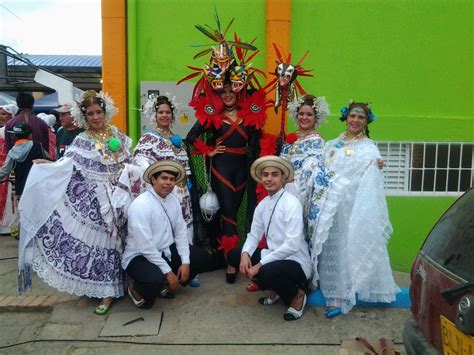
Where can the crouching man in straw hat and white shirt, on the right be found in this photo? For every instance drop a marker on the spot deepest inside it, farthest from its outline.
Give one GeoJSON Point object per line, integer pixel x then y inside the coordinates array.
{"type": "Point", "coordinates": [285, 266]}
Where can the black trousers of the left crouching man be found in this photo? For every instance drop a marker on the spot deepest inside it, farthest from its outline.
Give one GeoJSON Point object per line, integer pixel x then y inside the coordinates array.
{"type": "Point", "coordinates": [149, 280]}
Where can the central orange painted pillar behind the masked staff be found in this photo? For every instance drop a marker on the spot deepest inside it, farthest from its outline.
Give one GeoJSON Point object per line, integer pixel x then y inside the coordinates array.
{"type": "Point", "coordinates": [278, 32]}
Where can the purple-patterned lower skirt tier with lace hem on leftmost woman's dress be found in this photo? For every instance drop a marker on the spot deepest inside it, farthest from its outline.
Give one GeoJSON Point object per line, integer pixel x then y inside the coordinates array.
{"type": "Point", "coordinates": [88, 266]}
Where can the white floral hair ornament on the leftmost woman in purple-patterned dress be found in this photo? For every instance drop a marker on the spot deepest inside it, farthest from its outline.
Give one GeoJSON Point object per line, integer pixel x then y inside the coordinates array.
{"type": "Point", "coordinates": [78, 111]}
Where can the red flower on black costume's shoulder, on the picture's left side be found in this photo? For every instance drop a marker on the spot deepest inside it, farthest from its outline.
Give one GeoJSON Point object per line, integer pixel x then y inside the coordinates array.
{"type": "Point", "coordinates": [208, 110]}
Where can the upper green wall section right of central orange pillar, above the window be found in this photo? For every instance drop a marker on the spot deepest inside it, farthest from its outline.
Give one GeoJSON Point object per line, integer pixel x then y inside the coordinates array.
{"type": "Point", "coordinates": [412, 59]}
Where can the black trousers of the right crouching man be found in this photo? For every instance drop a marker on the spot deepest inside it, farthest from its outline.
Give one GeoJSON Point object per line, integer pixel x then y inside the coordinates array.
{"type": "Point", "coordinates": [285, 277]}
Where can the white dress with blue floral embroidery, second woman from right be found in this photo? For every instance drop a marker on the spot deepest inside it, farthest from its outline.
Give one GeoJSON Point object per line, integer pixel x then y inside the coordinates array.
{"type": "Point", "coordinates": [319, 189]}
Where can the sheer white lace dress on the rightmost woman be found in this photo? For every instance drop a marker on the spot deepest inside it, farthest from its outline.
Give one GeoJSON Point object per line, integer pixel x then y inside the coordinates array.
{"type": "Point", "coordinates": [354, 262]}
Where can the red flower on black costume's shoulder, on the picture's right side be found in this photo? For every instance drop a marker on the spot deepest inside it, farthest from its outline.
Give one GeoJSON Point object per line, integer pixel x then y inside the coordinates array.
{"type": "Point", "coordinates": [253, 109]}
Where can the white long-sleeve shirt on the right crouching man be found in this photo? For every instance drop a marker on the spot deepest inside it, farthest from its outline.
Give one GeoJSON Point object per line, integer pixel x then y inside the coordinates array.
{"type": "Point", "coordinates": [285, 238]}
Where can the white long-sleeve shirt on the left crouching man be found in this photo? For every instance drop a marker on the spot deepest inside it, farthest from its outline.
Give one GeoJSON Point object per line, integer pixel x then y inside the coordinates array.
{"type": "Point", "coordinates": [150, 233]}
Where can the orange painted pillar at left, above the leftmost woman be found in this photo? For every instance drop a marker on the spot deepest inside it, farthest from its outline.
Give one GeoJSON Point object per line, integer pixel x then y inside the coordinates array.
{"type": "Point", "coordinates": [114, 63]}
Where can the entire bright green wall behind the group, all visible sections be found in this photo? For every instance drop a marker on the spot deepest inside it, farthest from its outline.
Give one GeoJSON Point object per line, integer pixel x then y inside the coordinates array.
{"type": "Point", "coordinates": [412, 59]}
